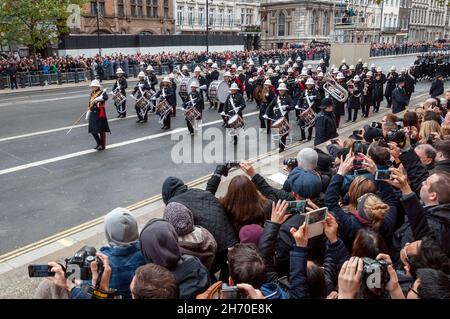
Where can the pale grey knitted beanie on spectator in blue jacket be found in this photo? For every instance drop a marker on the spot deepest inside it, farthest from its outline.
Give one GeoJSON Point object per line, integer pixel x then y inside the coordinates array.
{"type": "Point", "coordinates": [121, 228]}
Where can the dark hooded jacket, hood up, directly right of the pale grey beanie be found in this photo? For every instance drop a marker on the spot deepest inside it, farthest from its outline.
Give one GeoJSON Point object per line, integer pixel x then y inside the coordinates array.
{"type": "Point", "coordinates": [159, 244]}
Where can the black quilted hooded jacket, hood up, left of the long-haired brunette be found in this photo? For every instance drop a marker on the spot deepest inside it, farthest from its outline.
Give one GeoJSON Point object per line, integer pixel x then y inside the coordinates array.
{"type": "Point", "coordinates": [206, 209]}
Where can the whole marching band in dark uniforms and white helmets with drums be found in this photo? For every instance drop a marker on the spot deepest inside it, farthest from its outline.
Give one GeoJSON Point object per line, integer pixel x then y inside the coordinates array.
{"type": "Point", "coordinates": [276, 88]}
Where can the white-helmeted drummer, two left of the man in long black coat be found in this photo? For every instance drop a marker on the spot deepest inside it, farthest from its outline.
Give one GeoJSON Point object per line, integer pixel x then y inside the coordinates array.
{"type": "Point", "coordinates": [280, 107]}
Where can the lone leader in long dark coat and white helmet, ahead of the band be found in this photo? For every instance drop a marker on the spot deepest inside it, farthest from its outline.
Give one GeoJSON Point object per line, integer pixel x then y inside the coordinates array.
{"type": "Point", "coordinates": [98, 123]}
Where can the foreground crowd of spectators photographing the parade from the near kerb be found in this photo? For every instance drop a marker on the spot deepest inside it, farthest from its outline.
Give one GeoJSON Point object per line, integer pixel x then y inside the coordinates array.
{"type": "Point", "coordinates": [386, 234]}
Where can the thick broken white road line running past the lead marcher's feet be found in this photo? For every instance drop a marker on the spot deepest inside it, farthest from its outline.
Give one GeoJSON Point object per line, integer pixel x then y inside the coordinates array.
{"type": "Point", "coordinates": [112, 146]}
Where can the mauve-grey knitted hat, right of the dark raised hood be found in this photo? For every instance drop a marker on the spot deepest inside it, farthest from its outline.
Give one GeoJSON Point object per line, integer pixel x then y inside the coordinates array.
{"type": "Point", "coordinates": [180, 217]}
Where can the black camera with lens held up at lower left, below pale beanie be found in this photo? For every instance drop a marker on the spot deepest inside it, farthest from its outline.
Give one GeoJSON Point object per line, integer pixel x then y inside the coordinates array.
{"type": "Point", "coordinates": [79, 265]}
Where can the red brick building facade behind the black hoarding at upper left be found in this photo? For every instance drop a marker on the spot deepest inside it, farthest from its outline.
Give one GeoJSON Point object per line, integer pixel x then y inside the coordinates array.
{"type": "Point", "coordinates": [127, 17]}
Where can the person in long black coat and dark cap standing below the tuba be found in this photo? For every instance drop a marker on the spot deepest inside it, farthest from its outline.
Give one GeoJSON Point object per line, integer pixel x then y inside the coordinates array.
{"type": "Point", "coordinates": [325, 123]}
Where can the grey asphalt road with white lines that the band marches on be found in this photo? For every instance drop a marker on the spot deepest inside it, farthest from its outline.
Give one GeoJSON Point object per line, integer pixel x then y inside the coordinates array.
{"type": "Point", "coordinates": [52, 181]}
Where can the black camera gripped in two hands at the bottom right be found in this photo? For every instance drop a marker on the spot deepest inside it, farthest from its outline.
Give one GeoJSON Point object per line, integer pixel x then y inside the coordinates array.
{"type": "Point", "coordinates": [375, 274]}
